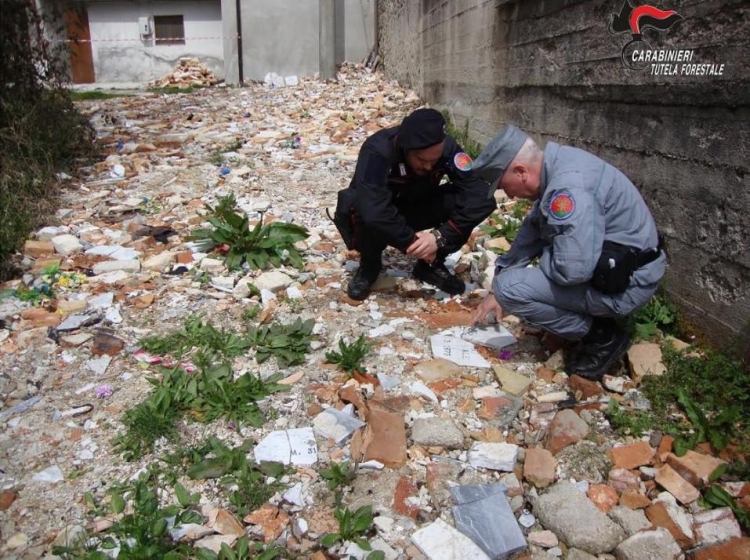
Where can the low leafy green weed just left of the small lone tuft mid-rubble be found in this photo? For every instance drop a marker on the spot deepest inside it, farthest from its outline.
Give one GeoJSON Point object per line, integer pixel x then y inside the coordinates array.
{"type": "Point", "coordinates": [287, 342]}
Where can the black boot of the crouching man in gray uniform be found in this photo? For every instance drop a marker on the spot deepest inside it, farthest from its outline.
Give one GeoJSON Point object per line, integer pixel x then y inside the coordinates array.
{"type": "Point", "coordinates": [600, 349]}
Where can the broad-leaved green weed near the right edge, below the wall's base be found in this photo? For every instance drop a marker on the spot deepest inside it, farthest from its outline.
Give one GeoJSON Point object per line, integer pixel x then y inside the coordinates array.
{"type": "Point", "coordinates": [718, 431]}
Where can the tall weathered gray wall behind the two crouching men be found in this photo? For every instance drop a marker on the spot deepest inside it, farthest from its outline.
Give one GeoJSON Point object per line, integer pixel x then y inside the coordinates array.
{"type": "Point", "coordinates": [553, 68]}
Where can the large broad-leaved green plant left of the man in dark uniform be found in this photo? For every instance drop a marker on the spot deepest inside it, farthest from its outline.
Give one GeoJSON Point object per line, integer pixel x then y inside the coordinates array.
{"type": "Point", "coordinates": [263, 245]}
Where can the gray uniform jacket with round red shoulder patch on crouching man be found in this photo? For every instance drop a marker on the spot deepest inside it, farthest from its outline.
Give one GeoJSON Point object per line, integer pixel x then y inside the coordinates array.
{"type": "Point", "coordinates": [583, 201]}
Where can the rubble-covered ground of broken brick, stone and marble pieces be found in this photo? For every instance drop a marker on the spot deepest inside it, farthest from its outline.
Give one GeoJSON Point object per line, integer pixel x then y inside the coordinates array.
{"type": "Point", "coordinates": [117, 266]}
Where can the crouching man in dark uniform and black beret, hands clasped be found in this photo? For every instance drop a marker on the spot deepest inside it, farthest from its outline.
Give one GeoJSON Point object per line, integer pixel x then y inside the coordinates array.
{"type": "Point", "coordinates": [397, 193]}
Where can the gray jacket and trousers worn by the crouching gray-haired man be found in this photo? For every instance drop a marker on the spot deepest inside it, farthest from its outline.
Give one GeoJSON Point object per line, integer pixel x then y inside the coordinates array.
{"type": "Point", "coordinates": [583, 202]}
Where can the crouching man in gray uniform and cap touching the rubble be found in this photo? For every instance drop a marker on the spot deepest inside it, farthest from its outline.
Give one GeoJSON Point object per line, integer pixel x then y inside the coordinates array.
{"type": "Point", "coordinates": [599, 252]}
